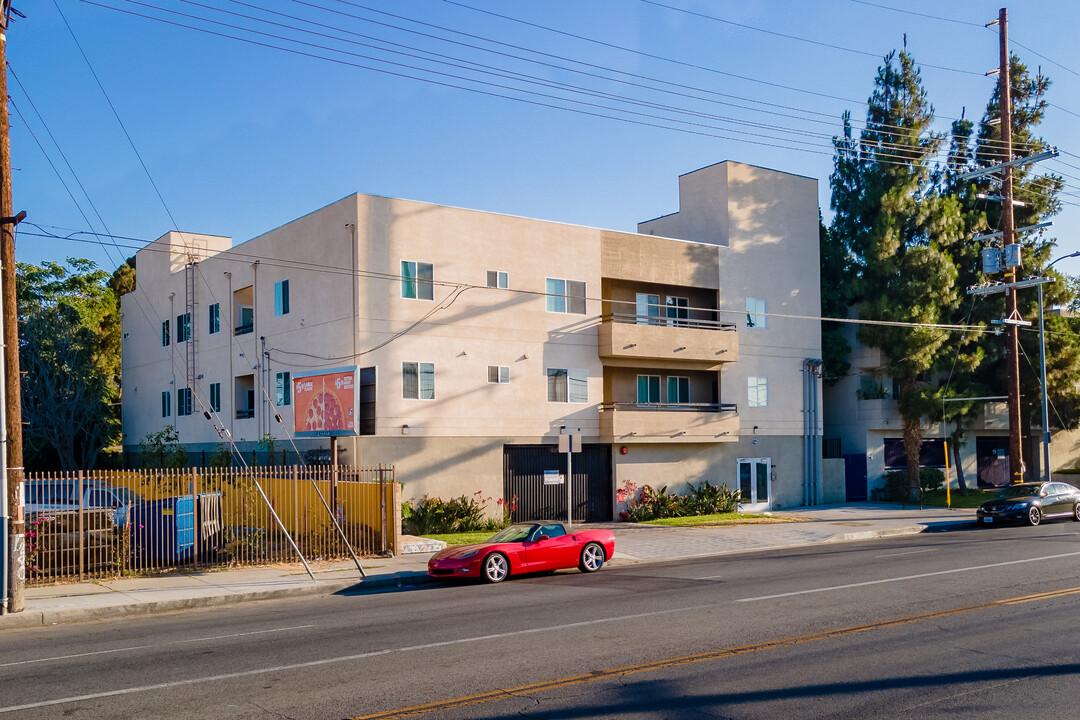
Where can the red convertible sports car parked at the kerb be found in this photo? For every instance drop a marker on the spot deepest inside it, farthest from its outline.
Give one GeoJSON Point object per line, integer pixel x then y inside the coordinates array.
{"type": "Point", "coordinates": [525, 548]}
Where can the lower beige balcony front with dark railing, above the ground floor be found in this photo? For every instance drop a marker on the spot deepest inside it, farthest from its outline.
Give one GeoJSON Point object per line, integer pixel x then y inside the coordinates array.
{"type": "Point", "coordinates": [663, 423]}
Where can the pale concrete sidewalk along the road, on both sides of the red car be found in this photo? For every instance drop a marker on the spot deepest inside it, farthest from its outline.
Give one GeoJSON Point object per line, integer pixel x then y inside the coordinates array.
{"type": "Point", "coordinates": [634, 545]}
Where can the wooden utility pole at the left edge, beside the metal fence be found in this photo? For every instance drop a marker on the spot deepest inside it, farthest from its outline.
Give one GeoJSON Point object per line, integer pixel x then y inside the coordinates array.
{"type": "Point", "coordinates": [17, 532]}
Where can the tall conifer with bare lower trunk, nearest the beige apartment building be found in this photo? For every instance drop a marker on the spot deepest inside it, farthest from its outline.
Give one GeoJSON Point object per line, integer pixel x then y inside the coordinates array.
{"type": "Point", "coordinates": [898, 230]}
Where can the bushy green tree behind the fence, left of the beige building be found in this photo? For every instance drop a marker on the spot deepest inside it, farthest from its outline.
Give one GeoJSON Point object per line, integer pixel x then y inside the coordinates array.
{"type": "Point", "coordinates": [70, 351]}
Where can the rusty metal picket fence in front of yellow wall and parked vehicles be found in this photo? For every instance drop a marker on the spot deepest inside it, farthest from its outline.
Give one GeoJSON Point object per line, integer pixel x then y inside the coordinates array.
{"type": "Point", "coordinates": [106, 524]}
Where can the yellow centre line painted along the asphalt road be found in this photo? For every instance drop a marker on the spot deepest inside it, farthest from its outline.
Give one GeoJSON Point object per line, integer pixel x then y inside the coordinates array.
{"type": "Point", "coordinates": [700, 658]}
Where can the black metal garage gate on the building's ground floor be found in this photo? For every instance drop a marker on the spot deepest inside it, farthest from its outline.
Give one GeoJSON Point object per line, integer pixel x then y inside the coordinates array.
{"type": "Point", "coordinates": [523, 478]}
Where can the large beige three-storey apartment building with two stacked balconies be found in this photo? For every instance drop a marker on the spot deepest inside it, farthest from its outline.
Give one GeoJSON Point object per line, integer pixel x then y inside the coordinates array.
{"type": "Point", "coordinates": [680, 354]}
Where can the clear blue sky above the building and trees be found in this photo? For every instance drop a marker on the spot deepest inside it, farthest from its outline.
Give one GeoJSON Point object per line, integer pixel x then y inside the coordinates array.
{"type": "Point", "coordinates": [240, 138]}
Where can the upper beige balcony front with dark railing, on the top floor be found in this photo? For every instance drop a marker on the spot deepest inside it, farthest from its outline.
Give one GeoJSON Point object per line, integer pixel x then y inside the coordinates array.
{"type": "Point", "coordinates": [630, 339]}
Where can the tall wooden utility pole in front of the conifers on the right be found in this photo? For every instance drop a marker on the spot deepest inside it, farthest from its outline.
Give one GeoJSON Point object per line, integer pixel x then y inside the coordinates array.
{"type": "Point", "coordinates": [1017, 468]}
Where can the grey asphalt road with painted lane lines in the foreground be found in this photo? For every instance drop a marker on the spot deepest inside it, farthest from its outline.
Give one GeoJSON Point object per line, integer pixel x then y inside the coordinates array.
{"type": "Point", "coordinates": [975, 623]}
